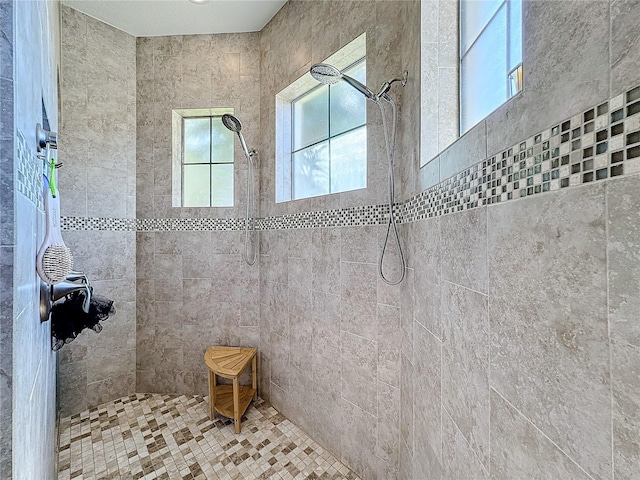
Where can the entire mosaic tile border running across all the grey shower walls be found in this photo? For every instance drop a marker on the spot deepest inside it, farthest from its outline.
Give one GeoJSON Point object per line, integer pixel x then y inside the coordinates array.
{"type": "Point", "coordinates": [600, 143]}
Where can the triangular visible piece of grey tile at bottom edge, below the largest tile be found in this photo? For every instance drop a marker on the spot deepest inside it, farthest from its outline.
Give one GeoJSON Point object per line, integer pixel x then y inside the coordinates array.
{"type": "Point", "coordinates": [520, 450]}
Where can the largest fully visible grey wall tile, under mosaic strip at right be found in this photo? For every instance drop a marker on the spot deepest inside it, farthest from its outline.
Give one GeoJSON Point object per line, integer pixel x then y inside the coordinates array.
{"type": "Point", "coordinates": [548, 322]}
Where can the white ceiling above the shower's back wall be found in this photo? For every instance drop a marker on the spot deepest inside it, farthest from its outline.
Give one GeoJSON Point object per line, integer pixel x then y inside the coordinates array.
{"type": "Point", "coordinates": [148, 18]}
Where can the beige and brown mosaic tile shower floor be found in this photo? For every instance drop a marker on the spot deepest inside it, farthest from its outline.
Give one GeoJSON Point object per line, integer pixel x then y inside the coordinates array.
{"type": "Point", "coordinates": [148, 436]}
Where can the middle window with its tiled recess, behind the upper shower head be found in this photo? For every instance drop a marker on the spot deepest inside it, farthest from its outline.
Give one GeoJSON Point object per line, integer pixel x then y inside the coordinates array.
{"type": "Point", "coordinates": [321, 132]}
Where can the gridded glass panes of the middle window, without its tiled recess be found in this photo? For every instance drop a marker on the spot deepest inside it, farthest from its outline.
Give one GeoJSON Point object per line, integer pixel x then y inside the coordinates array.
{"type": "Point", "coordinates": [328, 151]}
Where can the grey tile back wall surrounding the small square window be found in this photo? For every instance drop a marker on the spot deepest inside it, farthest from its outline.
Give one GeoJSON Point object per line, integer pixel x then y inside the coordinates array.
{"type": "Point", "coordinates": [193, 287]}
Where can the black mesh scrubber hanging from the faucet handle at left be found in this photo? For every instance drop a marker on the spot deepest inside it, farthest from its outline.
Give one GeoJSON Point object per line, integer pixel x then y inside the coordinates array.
{"type": "Point", "coordinates": [68, 318]}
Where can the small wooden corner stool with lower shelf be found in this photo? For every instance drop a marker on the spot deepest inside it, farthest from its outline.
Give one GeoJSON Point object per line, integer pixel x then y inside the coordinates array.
{"type": "Point", "coordinates": [230, 401]}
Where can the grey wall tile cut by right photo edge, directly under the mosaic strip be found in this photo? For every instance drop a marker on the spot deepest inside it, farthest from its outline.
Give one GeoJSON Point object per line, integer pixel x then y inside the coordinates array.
{"type": "Point", "coordinates": [623, 245]}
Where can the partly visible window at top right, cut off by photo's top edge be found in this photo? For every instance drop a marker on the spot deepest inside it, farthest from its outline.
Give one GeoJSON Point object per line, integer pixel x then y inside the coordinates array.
{"type": "Point", "coordinates": [490, 57]}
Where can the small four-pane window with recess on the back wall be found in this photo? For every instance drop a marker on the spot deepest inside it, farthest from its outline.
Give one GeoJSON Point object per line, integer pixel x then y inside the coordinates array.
{"type": "Point", "coordinates": [203, 159]}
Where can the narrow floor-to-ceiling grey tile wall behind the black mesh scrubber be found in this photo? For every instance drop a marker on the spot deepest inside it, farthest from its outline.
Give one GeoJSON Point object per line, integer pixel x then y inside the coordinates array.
{"type": "Point", "coordinates": [97, 147]}
